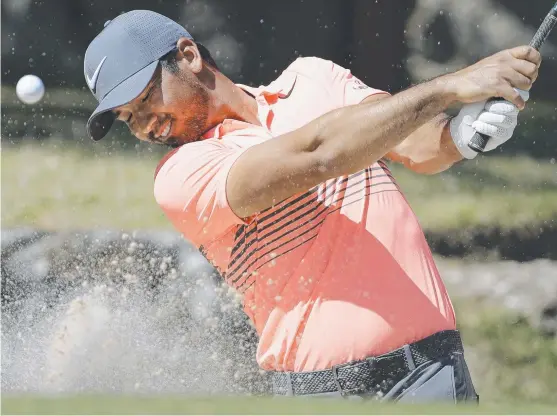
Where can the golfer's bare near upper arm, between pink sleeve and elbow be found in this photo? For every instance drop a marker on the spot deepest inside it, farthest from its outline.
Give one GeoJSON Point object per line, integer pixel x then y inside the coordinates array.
{"type": "Point", "coordinates": [270, 172]}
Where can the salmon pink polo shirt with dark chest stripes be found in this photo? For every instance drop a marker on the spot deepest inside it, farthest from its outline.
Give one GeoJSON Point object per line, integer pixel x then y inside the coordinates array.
{"type": "Point", "coordinates": [338, 273]}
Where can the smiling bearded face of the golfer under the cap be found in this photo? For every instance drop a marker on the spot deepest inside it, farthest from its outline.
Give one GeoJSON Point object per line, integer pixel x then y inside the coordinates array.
{"type": "Point", "coordinates": [173, 109]}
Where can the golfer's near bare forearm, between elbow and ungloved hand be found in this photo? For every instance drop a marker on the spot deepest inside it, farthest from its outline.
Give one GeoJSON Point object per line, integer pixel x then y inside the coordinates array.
{"type": "Point", "coordinates": [371, 130]}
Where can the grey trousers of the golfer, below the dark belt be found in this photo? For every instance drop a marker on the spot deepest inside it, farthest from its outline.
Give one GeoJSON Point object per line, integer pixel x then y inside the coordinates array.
{"type": "Point", "coordinates": [442, 381]}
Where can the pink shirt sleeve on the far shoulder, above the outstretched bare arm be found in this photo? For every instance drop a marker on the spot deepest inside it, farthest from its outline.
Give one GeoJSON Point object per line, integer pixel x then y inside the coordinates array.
{"type": "Point", "coordinates": [344, 87]}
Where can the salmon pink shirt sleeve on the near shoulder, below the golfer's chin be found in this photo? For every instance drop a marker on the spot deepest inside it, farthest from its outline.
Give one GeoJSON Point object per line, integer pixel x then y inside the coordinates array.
{"type": "Point", "coordinates": [190, 187]}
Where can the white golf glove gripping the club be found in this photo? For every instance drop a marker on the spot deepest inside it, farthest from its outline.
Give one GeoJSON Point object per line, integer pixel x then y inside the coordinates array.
{"type": "Point", "coordinates": [495, 118]}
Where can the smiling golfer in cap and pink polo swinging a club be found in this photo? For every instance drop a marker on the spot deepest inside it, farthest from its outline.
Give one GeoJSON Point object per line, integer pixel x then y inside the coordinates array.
{"type": "Point", "coordinates": [286, 191]}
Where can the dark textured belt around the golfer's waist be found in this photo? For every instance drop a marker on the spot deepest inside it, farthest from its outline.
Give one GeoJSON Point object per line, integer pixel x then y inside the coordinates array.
{"type": "Point", "coordinates": [372, 374]}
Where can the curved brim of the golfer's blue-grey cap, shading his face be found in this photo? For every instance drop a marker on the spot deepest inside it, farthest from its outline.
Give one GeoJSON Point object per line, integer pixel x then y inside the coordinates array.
{"type": "Point", "coordinates": [102, 118]}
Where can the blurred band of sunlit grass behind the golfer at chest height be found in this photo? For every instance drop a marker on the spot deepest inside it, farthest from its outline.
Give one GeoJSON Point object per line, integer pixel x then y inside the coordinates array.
{"type": "Point", "coordinates": [57, 185]}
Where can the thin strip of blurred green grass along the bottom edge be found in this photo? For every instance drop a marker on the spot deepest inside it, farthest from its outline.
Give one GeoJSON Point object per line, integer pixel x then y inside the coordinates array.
{"type": "Point", "coordinates": [271, 406]}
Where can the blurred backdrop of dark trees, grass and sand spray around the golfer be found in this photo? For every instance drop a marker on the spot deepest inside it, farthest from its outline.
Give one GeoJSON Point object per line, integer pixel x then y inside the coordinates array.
{"type": "Point", "coordinates": [100, 295]}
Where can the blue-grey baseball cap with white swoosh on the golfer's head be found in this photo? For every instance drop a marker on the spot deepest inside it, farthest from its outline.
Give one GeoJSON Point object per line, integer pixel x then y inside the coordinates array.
{"type": "Point", "coordinates": [121, 60]}
